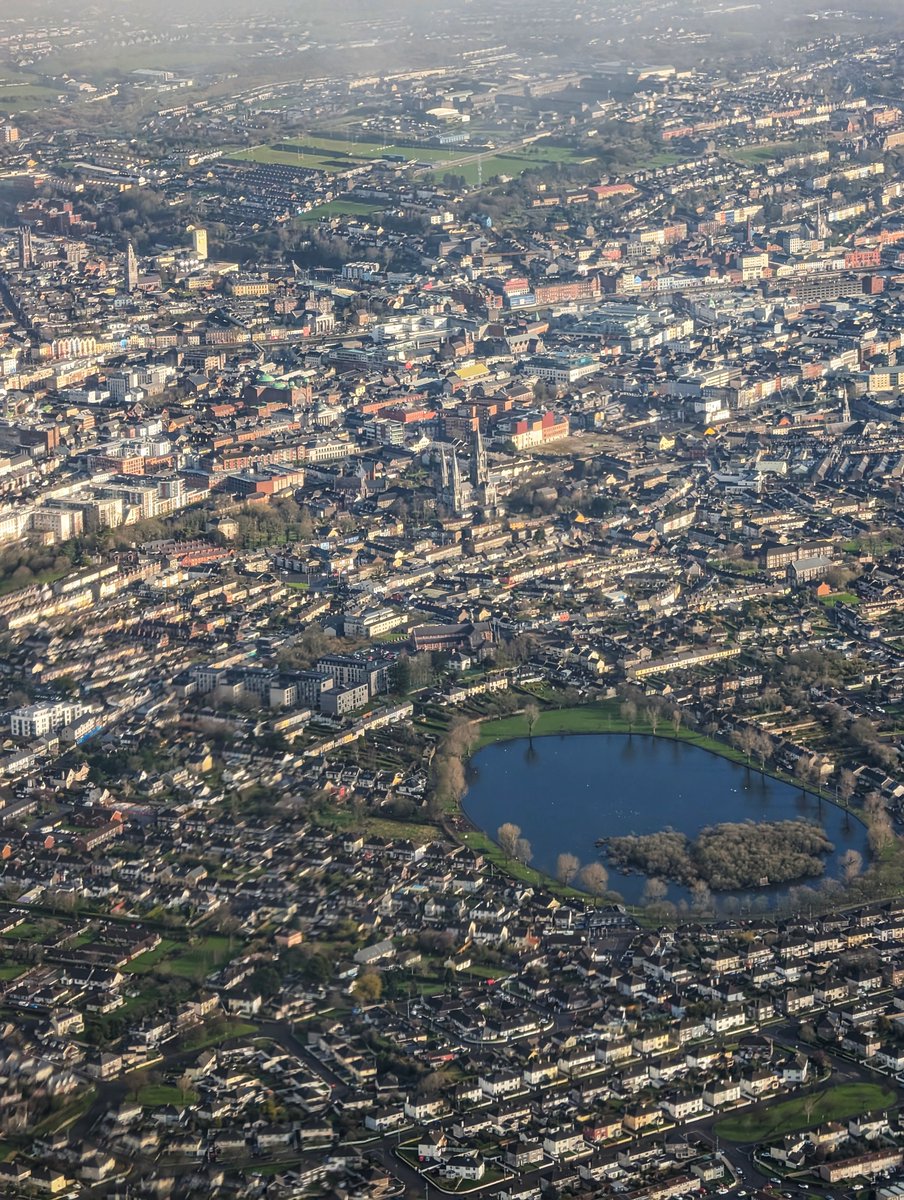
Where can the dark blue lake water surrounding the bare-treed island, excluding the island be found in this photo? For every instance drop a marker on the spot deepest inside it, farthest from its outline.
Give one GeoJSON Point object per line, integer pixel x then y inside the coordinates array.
{"type": "Point", "coordinates": [567, 791]}
